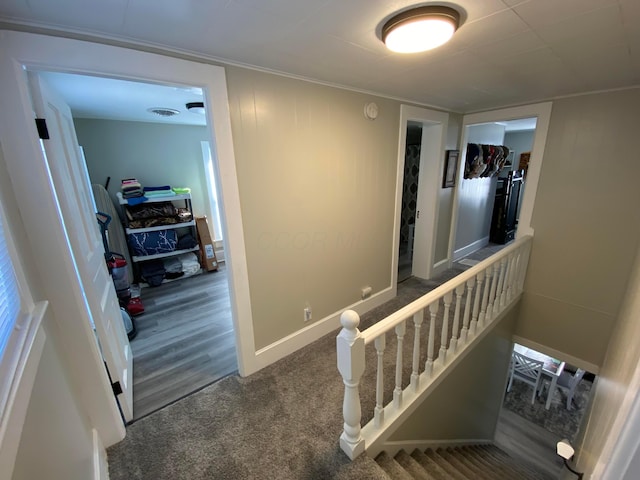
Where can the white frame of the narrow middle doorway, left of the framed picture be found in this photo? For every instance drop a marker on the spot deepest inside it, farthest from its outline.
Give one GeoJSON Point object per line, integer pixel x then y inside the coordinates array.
{"type": "Point", "coordinates": [434, 135]}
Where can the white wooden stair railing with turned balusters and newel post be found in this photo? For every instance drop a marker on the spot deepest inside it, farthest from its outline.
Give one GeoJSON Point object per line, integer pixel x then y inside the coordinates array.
{"type": "Point", "coordinates": [478, 296]}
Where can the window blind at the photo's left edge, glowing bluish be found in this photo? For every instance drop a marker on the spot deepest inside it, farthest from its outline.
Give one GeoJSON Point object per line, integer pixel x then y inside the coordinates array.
{"type": "Point", "coordinates": [9, 298]}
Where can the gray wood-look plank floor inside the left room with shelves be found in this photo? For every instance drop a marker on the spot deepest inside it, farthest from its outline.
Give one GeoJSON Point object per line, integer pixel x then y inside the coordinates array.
{"type": "Point", "coordinates": [185, 340]}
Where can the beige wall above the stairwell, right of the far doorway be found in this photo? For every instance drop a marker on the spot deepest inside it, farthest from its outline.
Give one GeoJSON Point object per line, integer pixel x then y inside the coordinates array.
{"type": "Point", "coordinates": [587, 226]}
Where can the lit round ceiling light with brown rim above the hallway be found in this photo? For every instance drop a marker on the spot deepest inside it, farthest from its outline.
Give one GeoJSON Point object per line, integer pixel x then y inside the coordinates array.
{"type": "Point", "coordinates": [420, 29]}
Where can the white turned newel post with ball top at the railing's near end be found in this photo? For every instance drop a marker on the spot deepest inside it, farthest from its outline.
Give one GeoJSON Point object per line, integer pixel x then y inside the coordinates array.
{"type": "Point", "coordinates": [350, 349]}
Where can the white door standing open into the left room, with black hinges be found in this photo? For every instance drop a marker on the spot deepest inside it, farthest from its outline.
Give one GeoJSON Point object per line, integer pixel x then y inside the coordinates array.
{"type": "Point", "coordinates": [74, 196]}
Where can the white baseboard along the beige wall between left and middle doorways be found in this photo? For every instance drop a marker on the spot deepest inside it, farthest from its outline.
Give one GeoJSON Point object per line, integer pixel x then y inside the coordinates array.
{"type": "Point", "coordinates": [291, 343]}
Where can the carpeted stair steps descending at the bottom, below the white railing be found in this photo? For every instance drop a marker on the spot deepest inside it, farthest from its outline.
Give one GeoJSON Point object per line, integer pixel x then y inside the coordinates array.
{"type": "Point", "coordinates": [477, 462]}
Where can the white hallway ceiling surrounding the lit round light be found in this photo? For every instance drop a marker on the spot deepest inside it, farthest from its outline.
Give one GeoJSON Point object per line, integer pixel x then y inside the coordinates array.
{"type": "Point", "coordinates": [506, 52]}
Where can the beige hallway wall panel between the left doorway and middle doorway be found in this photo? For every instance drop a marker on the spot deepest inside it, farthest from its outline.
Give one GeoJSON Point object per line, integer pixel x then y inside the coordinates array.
{"type": "Point", "coordinates": [317, 190]}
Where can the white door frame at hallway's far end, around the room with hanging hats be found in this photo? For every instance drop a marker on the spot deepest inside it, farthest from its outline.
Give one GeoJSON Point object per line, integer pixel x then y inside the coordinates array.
{"type": "Point", "coordinates": [542, 112]}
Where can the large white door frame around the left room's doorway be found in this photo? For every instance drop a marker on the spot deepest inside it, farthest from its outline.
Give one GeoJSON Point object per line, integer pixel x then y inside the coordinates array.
{"type": "Point", "coordinates": [41, 214]}
